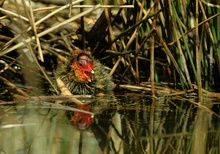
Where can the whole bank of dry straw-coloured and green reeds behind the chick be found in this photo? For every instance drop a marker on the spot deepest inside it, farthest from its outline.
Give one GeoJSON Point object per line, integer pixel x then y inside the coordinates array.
{"type": "Point", "coordinates": [140, 41]}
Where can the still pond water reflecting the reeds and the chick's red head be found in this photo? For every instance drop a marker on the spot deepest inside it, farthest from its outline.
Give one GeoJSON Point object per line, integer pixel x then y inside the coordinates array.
{"type": "Point", "coordinates": [127, 123]}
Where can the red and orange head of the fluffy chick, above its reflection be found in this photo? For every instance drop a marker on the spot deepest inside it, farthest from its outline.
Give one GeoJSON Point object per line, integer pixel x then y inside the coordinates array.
{"type": "Point", "coordinates": [82, 65]}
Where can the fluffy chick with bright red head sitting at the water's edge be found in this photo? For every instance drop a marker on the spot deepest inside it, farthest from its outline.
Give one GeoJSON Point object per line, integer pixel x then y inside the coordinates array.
{"type": "Point", "coordinates": [82, 74]}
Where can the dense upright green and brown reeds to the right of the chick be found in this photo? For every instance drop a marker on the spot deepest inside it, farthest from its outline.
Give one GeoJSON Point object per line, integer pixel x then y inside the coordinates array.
{"type": "Point", "coordinates": [175, 33]}
